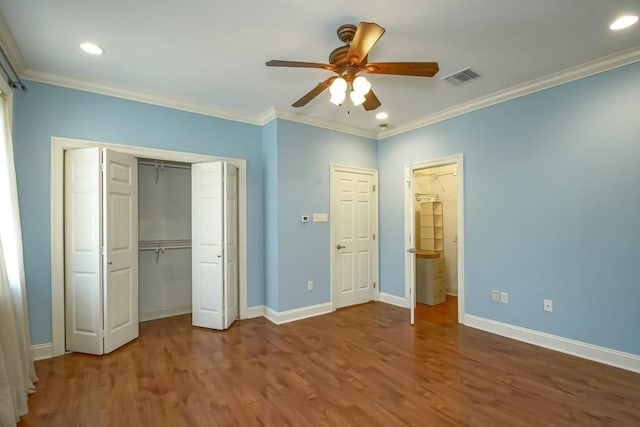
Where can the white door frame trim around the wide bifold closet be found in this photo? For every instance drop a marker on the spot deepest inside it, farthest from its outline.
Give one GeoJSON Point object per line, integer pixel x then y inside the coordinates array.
{"type": "Point", "coordinates": [58, 146]}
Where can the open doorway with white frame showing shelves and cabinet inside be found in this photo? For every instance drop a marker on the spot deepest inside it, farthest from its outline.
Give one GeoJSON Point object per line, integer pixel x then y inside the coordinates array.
{"type": "Point", "coordinates": [434, 235]}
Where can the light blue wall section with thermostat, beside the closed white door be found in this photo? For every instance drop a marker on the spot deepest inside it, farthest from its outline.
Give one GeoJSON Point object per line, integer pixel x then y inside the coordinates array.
{"type": "Point", "coordinates": [305, 154]}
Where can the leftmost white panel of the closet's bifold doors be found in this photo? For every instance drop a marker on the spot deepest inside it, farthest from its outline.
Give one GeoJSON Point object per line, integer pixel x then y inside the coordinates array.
{"type": "Point", "coordinates": [82, 226]}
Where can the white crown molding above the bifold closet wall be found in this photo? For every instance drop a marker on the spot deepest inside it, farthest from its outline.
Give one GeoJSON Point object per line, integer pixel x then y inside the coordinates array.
{"type": "Point", "coordinates": [176, 104]}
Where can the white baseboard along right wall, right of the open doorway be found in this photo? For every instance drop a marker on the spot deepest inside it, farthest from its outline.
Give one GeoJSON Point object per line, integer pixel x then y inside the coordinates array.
{"type": "Point", "coordinates": [619, 359]}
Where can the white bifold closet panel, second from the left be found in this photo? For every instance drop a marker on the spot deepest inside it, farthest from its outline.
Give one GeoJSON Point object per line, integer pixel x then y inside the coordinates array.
{"type": "Point", "coordinates": [120, 234]}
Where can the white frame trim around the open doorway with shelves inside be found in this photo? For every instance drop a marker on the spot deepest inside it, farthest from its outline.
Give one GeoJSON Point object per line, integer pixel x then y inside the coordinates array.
{"type": "Point", "coordinates": [409, 228]}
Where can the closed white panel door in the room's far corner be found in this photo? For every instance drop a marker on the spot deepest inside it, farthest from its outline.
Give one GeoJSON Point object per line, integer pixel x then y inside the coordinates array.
{"type": "Point", "coordinates": [353, 228]}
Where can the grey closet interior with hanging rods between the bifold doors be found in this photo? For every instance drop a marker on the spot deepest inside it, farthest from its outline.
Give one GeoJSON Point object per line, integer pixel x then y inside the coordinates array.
{"type": "Point", "coordinates": [164, 234]}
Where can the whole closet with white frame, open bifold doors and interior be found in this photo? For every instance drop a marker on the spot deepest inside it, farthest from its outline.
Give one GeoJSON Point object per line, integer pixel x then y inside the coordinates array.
{"type": "Point", "coordinates": [167, 219]}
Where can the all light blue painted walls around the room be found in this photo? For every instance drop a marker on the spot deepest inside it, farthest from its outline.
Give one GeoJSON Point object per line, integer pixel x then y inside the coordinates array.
{"type": "Point", "coordinates": [551, 198]}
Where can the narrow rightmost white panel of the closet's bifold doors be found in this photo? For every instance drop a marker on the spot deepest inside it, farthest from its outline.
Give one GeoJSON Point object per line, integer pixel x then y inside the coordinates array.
{"type": "Point", "coordinates": [230, 289]}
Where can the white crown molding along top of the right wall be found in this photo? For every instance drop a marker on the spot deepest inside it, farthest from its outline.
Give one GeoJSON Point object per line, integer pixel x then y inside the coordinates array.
{"type": "Point", "coordinates": [567, 75]}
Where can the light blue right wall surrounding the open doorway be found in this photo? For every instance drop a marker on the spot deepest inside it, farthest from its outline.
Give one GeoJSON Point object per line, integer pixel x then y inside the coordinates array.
{"type": "Point", "coordinates": [552, 205]}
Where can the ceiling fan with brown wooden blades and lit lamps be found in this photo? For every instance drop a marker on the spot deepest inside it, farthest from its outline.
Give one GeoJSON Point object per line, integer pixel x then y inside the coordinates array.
{"type": "Point", "coordinates": [352, 58]}
